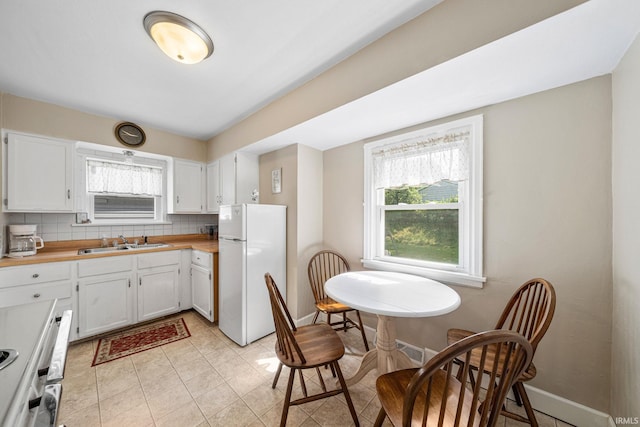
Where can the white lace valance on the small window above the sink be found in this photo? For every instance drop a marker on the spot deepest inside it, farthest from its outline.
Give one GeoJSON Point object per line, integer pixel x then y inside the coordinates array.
{"type": "Point", "coordinates": [120, 178]}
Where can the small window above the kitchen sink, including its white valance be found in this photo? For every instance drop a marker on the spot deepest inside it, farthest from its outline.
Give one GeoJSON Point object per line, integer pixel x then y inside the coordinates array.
{"type": "Point", "coordinates": [120, 191]}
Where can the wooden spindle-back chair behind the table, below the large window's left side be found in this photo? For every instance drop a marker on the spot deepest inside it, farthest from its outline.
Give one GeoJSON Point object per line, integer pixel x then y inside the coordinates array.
{"type": "Point", "coordinates": [323, 266]}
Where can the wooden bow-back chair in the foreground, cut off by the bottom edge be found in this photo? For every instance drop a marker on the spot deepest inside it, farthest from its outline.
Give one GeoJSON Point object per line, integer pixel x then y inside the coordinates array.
{"type": "Point", "coordinates": [438, 393]}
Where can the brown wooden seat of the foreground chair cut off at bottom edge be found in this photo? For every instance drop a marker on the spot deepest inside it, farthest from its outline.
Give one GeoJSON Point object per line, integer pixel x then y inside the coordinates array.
{"type": "Point", "coordinates": [393, 386]}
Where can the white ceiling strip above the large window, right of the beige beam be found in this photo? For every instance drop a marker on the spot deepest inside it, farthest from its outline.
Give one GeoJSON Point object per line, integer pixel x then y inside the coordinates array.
{"type": "Point", "coordinates": [584, 42]}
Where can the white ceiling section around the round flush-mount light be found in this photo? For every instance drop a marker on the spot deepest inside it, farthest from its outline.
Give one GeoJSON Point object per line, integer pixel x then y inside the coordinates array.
{"type": "Point", "coordinates": [95, 56]}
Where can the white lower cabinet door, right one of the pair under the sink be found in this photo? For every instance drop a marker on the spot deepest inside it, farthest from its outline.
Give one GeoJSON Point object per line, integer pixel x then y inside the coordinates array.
{"type": "Point", "coordinates": [158, 292]}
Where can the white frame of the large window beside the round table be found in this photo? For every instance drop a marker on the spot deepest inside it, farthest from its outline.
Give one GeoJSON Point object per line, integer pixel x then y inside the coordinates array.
{"type": "Point", "coordinates": [469, 271]}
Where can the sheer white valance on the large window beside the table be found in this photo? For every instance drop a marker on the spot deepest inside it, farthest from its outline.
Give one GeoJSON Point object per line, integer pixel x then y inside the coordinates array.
{"type": "Point", "coordinates": [423, 160]}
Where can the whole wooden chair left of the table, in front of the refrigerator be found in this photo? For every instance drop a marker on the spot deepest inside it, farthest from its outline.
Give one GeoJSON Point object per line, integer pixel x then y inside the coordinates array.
{"type": "Point", "coordinates": [305, 347]}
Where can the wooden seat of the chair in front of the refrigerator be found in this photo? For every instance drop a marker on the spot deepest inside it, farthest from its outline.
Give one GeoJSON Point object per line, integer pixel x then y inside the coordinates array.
{"type": "Point", "coordinates": [319, 343]}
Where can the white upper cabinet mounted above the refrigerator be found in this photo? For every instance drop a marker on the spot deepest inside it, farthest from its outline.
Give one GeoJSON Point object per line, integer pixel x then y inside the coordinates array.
{"type": "Point", "coordinates": [231, 180]}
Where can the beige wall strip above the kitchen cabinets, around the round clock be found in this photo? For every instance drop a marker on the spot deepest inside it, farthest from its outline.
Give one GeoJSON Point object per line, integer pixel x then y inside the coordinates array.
{"type": "Point", "coordinates": [26, 115]}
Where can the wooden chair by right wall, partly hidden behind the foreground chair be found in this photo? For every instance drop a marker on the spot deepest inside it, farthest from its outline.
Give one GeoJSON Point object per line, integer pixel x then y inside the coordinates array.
{"type": "Point", "coordinates": [529, 312]}
